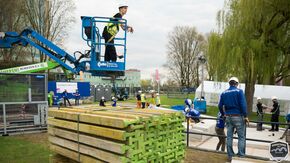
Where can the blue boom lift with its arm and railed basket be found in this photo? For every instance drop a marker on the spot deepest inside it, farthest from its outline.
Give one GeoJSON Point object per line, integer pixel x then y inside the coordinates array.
{"type": "Point", "coordinates": [90, 61]}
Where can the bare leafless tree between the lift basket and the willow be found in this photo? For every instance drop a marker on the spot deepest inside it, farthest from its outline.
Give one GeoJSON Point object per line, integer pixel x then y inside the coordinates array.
{"type": "Point", "coordinates": [184, 46]}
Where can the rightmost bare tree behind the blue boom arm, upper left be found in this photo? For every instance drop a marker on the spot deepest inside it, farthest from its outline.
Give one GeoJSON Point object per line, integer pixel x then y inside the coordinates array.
{"type": "Point", "coordinates": [50, 18]}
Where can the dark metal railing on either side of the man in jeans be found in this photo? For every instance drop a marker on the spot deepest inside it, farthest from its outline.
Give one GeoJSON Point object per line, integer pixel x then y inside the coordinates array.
{"type": "Point", "coordinates": [188, 133]}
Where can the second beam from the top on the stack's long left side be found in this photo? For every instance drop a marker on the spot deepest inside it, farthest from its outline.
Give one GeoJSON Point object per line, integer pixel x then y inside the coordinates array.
{"type": "Point", "coordinates": [95, 130]}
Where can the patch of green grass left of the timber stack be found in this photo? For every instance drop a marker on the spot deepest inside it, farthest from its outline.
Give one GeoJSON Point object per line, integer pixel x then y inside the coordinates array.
{"type": "Point", "coordinates": [15, 150]}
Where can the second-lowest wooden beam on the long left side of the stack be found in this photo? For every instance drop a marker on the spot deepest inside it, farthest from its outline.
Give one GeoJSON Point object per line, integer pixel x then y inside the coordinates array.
{"type": "Point", "coordinates": [99, 154]}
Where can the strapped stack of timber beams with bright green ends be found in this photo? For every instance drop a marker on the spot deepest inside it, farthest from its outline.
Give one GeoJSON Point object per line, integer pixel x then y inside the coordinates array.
{"type": "Point", "coordinates": [117, 135]}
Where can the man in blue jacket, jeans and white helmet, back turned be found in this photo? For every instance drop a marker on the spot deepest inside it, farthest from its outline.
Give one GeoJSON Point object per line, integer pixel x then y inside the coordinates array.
{"type": "Point", "coordinates": [233, 106]}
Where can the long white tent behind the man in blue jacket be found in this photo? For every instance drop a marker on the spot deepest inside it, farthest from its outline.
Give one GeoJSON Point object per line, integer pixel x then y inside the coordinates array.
{"type": "Point", "coordinates": [212, 91]}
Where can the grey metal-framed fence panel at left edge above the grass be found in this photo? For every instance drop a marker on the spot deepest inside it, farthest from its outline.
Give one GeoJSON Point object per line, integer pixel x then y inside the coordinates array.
{"type": "Point", "coordinates": [23, 102]}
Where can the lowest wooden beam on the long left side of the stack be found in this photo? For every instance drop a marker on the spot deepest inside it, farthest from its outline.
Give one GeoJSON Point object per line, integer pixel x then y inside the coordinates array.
{"type": "Point", "coordinates": [73, 155]}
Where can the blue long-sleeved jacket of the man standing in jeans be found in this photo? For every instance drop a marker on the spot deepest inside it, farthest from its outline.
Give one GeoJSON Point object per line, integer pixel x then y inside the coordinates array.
{"type": "Point", "coordinates": [234, 102]}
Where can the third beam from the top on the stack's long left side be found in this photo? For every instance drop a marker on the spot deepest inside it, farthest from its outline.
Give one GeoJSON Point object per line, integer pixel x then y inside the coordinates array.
{"type": "Point", "coordinates": [92, 141]}
